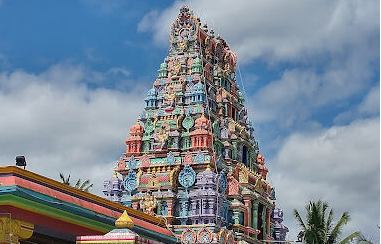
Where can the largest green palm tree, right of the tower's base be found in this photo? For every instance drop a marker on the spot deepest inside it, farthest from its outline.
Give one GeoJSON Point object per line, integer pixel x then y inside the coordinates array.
{"type": "Point", "coordinates": [319, 228]}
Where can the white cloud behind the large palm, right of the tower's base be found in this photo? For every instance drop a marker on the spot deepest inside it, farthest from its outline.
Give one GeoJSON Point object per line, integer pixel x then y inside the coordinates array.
{"type": "Point", "coordinates": [339, 165]}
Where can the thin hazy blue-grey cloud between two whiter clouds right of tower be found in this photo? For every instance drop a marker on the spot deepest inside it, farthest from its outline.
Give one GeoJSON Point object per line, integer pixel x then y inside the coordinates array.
{"type": "Point", "coordinates": [300, 92]}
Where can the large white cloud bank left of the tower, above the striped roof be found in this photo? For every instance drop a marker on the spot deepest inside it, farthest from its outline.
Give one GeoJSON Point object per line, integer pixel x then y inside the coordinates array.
{"type": "Point", "coordinates": [61, 125]}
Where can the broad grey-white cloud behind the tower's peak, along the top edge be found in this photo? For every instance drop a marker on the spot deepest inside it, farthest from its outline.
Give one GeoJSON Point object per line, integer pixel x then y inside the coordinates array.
{"type": "Point", "coordinates": [279, 30]}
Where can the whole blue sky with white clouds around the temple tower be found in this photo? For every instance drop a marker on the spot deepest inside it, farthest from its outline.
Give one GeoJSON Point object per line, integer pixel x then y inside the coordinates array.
{"type": "Point", "coordinates": [73, 76]}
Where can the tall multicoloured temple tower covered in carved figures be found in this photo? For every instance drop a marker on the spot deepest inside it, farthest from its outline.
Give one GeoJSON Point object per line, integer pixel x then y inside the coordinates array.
{"type": "Point", "coordinates": [191, 157]}
